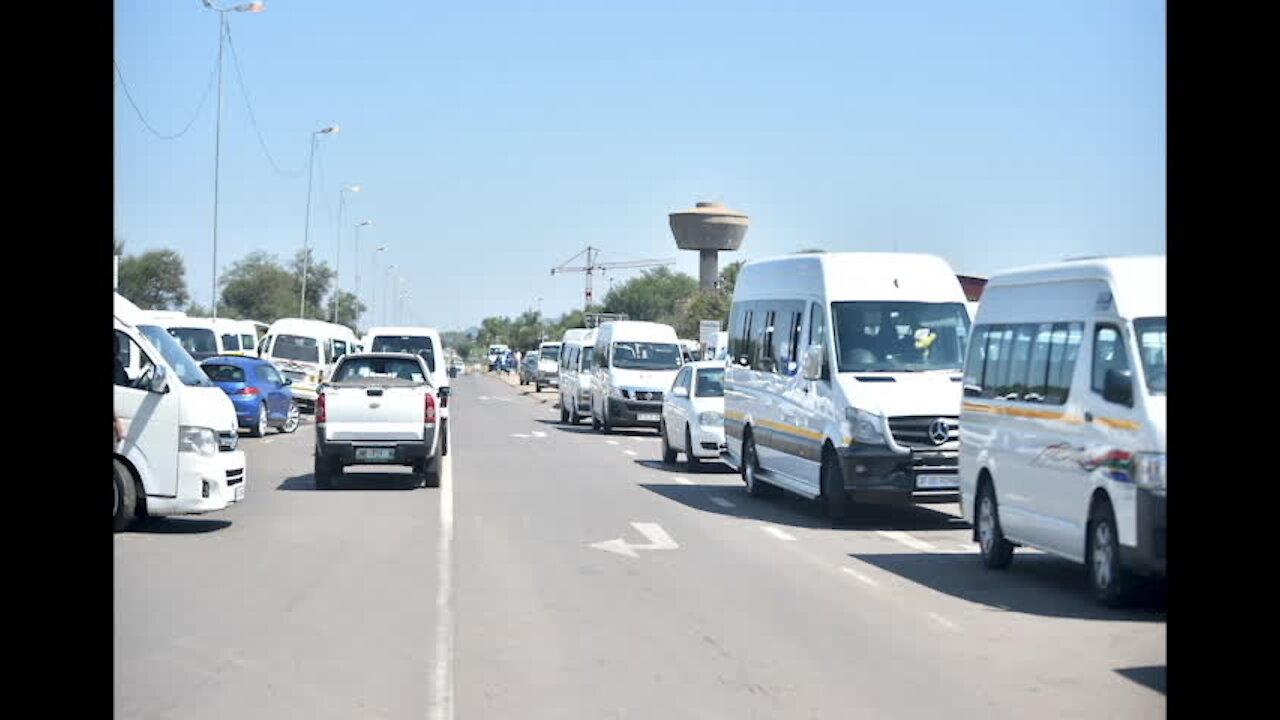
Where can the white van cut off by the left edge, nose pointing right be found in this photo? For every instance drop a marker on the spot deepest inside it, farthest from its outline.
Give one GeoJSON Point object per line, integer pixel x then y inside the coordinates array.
{"type": "Point", "coordinates": [177, 454]}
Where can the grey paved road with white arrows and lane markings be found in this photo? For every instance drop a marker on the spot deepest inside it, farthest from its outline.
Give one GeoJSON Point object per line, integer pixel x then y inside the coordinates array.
{"type": "Point", "coordinates": [516, 591]}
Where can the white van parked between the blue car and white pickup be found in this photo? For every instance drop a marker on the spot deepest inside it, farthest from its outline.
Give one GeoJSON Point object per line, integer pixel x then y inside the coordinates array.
{"type": "Point", "coordinates": [307, 352]}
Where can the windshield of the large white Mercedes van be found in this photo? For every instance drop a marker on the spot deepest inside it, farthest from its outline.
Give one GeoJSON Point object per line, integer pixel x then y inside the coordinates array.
{"type": "Point", "coordinates": [900, 338]}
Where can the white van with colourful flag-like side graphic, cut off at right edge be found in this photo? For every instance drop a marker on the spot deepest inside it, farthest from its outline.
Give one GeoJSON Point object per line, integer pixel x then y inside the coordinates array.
{"type": "Point", "coordinates": [1064, 418]}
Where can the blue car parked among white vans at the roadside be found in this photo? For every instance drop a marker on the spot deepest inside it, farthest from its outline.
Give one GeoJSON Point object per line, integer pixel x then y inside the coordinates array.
{"type": "Point", "coordinates": [262, 397]}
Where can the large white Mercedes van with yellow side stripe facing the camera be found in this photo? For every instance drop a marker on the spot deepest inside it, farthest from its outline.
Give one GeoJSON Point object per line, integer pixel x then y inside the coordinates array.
{"type": "Point", "coordinates": [867, 409]}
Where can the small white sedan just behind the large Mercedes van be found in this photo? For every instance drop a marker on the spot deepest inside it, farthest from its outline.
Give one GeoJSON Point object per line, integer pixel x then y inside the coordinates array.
{"type": "Point", "coordinates": [693, 414]}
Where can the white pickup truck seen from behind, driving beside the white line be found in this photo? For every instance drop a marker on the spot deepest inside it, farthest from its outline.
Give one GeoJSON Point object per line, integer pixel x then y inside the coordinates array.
{"type": "Point", "coordinates": [378, 409]}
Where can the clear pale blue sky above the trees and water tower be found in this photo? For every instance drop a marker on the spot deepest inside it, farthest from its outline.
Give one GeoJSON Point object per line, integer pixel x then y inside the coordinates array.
{"type": "Point", "coordinates": [496, 142]}
